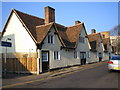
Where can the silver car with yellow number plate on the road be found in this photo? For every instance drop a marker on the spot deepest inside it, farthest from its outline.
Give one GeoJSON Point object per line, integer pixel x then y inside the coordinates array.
{"type": "Point", "coordinates": [114, 63]}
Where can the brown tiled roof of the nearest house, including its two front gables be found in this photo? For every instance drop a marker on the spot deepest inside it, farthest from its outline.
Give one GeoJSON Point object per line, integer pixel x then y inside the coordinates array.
{"type": "Point", "coordinates": [38, 29]}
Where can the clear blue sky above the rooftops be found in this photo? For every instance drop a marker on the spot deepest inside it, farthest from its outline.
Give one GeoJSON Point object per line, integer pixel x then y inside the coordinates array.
{"type": "Point", "coordinates": [102, 16]}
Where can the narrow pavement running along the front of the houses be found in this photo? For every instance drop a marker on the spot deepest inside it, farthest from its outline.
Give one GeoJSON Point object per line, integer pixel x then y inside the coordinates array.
{"type": "Point", "coordinates": [15, 79]}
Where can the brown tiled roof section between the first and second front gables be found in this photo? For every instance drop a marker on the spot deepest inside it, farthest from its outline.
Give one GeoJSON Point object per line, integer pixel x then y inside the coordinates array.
{"type": "Point", "coordinates": [69, 35]}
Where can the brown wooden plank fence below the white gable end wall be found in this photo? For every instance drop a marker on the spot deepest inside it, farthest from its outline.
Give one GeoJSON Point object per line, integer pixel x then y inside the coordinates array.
{"type": "Point", "coordinates": [20, 65]}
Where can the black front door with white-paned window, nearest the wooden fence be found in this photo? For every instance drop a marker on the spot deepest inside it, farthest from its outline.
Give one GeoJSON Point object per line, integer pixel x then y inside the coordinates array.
{"type": "Point", "coordinates": [45, 61]}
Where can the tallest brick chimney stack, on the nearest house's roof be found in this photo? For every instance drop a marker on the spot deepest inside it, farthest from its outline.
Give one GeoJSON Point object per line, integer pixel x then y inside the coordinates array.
{"type": "Point", "coordinates": [49, 14]}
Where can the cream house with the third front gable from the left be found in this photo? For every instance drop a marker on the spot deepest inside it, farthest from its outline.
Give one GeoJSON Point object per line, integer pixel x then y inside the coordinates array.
{"type": "Point", "coordinates": [97, 48]}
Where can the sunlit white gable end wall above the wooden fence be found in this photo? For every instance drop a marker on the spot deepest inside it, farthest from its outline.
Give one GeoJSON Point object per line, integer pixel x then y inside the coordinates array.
{"type": "Point", "coordinates": [21, 40]}
